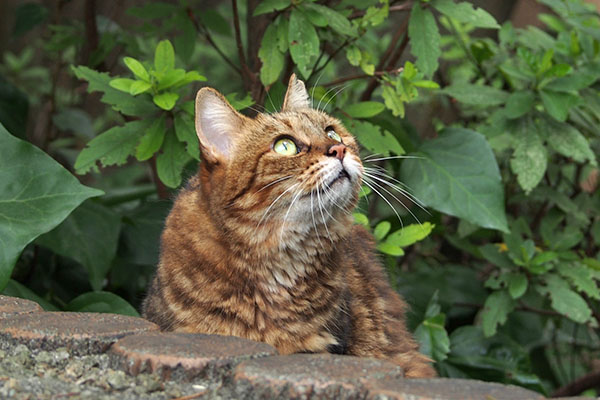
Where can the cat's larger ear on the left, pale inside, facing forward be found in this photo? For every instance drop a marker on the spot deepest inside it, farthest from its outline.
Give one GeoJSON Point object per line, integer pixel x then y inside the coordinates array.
{"type": "Point", "coordinates": [217, 125]}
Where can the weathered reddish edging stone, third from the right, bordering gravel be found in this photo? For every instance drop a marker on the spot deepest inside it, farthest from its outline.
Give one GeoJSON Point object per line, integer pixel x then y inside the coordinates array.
{"type": "Point", "coordinates": [185, 355]}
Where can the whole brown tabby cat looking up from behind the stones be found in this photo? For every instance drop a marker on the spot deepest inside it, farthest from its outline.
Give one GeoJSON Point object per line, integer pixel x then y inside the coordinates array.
{"type": "Point", "coordinates": [261, 243]}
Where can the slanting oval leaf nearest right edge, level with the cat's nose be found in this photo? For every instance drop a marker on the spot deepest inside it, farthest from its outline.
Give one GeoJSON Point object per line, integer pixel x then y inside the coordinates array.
{"type": "Point", "coordinates": [568, 141]}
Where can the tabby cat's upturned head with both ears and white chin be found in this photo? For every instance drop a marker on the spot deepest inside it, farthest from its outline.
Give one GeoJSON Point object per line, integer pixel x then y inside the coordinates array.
{"type": "Point", "coordinates": [289, 171]}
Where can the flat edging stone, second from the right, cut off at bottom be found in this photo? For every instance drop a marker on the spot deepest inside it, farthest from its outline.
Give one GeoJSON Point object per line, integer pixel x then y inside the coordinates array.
{"type": "Point", "coordinates": [310, 376]}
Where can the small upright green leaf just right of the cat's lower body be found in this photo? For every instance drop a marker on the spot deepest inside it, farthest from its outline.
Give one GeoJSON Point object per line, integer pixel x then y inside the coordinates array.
{"type": "Point", "coordinates": [433, 338]}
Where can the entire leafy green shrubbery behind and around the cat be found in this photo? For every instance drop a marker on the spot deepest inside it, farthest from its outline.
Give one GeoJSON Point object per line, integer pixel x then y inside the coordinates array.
{"type": "Point", "coordinates": [487, 213]}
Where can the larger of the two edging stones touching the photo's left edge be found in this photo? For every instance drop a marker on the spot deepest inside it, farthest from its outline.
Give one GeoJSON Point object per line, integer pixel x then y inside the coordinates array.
{"type": "Point", "coordinates": [80, 333]}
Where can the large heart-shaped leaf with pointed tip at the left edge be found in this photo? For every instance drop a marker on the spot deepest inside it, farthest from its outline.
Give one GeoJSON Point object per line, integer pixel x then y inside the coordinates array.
{"type": "Point", "coordinates": [36, 194]}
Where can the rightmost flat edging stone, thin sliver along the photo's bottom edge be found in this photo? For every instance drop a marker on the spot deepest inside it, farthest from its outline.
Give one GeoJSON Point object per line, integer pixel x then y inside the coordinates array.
{"type": "Point", "coordinates": [445, 389]}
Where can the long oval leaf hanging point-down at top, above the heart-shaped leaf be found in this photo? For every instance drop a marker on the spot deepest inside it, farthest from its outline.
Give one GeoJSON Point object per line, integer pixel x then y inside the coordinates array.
{"type": "Point", "coordinates": [424, 39]}
